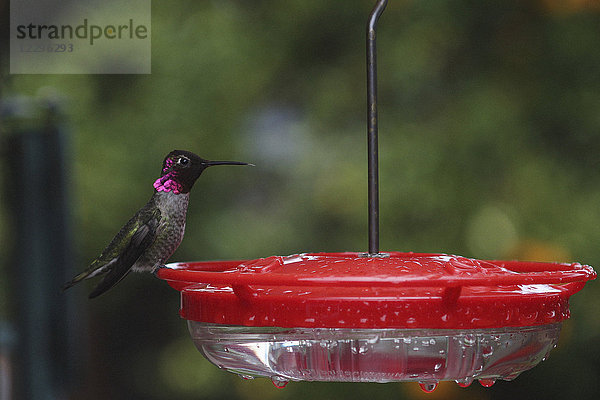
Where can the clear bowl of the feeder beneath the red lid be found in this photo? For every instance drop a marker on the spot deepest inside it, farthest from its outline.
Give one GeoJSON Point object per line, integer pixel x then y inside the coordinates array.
{"type": "Point", "coordinates": [375, 355]}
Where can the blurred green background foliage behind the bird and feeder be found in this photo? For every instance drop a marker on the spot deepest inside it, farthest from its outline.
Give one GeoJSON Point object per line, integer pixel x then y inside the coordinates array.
{"type": "Point", "coordinates": [489, 144]}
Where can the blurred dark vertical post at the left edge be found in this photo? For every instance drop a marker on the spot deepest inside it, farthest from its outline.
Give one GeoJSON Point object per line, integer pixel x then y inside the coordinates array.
{"type": "Point", "coordinates": [36, 188]}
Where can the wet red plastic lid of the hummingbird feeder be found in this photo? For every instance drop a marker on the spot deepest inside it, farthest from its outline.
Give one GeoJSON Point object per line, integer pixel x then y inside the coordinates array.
{"type": "Point", "coordinates": [395, 290]}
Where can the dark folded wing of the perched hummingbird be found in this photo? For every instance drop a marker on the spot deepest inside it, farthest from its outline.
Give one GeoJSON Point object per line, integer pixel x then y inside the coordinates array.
{"type": "Point", "coordinates": [122, 263]}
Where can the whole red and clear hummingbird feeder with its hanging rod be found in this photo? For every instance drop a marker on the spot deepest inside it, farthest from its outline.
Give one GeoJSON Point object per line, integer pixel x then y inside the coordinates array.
{"type": "Point", "coordinates": [374, 316]}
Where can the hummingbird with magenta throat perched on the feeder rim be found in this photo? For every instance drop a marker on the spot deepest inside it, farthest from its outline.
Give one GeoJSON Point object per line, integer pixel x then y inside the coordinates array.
{"type": "Point", "coordinates": [153, 234]}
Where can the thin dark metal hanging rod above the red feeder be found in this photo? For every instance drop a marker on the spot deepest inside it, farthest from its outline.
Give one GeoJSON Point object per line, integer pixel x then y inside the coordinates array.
{"type": "Point", "coordinates": [373, 156]}
